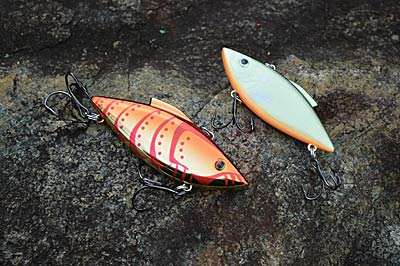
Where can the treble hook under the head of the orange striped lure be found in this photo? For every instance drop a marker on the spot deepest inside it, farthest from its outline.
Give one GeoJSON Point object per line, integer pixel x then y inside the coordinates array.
{"type": "Point", "coordinates": [152, 184]}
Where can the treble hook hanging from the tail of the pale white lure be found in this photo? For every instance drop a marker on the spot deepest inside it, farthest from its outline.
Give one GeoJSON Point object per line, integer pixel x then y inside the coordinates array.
{"type": "Point", "coordinates": [332, 181]}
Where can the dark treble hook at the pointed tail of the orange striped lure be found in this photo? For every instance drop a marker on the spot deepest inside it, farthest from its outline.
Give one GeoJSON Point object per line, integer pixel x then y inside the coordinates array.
{"type": "Point", "coordinates": [83, 110]}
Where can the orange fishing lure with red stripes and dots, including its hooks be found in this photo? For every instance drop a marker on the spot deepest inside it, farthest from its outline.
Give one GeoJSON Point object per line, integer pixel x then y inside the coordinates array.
{"type": "Point", "coordinates": [163, 137]}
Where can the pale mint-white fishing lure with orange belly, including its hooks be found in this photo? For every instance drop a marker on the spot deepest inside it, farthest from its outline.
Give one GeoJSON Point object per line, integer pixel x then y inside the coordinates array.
{"type": "Point", "coordinates": [281, 103]}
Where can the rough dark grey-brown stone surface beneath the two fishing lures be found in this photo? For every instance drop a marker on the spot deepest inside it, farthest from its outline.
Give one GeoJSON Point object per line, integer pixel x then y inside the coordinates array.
{"type": "Point", "coordinates": [65, 185]}
